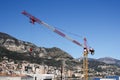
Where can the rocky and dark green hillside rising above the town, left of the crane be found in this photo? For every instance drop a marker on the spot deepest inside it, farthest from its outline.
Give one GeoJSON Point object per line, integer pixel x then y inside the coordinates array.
{"type": "Point", "coordinates": [20, 50]}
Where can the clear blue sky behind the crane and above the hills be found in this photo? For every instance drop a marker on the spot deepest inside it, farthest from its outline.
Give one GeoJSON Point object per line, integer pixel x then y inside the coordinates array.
{"type": "Point", "coordinates": [97, 20]}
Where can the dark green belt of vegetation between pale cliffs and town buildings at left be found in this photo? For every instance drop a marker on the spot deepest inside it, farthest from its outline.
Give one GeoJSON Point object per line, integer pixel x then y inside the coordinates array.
{"type": "Point", "coordinates": [27, 57]}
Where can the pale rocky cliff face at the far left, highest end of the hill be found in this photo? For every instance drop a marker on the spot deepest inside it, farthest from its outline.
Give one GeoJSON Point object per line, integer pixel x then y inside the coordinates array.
{"type": "Point", "coordinates": [14, 44]}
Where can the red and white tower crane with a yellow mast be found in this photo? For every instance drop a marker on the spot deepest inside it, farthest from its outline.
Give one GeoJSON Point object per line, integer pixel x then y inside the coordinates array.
{"type": "Point", "coordinates": [86, 49]}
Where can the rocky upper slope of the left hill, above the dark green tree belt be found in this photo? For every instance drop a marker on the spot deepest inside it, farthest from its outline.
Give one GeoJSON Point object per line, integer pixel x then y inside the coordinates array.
{"type": "Point", "coordinates": [27, 49]}
